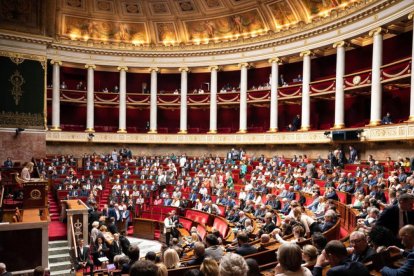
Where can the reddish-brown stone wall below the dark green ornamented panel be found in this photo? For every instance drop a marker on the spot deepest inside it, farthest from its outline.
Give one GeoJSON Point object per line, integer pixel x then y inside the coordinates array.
{"type": "Point", "coordinates": [23, 146]}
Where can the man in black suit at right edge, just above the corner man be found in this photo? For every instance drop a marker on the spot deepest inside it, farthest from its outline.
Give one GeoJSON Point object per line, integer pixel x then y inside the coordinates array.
{"type": "Point", "coordinates": [396, 216]}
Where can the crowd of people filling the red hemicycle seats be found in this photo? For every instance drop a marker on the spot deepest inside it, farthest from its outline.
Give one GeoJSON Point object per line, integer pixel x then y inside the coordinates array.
{"type": "Point", "coordinates": [267, 175]}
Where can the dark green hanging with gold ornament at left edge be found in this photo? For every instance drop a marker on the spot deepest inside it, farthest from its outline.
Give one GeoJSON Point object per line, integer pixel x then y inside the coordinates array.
{"type": "Point", "coordinates": [22, 92]}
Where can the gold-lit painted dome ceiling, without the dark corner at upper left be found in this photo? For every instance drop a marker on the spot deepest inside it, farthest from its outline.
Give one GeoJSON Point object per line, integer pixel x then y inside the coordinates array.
{"type": "Point", "coordinates": [172, 22]}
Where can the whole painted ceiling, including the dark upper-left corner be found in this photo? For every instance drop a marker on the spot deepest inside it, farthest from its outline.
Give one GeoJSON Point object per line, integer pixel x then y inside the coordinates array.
{"type": "Point", "coordinates": [169, 22]}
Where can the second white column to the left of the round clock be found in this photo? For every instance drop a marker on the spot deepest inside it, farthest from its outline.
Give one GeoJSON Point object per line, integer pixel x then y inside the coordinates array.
{"type": "Point", "coordinates": [306, 91]}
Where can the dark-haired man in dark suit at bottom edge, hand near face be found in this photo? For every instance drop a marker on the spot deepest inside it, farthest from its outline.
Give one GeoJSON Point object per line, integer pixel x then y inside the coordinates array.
{"type": "Point", "coordinates": [336, 255]}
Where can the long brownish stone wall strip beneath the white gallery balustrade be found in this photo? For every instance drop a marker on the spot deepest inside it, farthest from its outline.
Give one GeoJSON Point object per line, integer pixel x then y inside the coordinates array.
{"type": "Point", "coordinates": [379, 150]}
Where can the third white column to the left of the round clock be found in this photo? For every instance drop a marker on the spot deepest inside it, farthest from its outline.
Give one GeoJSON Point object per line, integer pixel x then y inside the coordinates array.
{"type": "Point", "coordinates": [273, 94]}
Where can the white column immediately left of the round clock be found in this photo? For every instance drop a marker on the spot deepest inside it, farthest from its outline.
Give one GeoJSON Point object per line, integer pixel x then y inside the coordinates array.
{"type": "Point", "coordinates": [339, 85]}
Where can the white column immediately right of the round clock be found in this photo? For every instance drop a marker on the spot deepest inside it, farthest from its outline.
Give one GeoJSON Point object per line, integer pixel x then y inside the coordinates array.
{"type": "Point", "coordinates": [376, 87]}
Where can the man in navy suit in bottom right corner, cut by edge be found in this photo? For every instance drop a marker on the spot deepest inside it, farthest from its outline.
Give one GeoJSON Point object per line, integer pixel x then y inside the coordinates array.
{"type": "Point", "coordinates": [407, 239]}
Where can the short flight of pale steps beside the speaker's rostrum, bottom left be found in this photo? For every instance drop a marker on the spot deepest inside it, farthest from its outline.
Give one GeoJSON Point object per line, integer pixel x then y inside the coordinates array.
{"type": "Point", "coordinates": [59, 258]}
